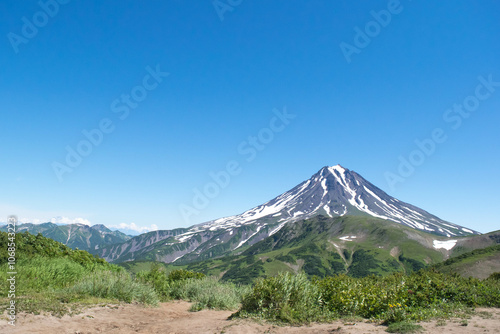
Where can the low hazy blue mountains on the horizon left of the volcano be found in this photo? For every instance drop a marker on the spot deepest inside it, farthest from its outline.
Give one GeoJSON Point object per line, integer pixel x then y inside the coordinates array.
{"type": "Point", "coordinates": [80, 236]}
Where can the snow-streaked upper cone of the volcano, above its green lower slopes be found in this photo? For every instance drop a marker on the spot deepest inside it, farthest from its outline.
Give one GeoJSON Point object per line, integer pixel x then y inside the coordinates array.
{"type": "Point", "coordinates": [337, 191]}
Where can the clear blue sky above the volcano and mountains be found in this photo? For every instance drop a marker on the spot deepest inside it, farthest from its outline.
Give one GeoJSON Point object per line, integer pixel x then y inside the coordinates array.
{"type": "Point", "coordinates": [229, 68]}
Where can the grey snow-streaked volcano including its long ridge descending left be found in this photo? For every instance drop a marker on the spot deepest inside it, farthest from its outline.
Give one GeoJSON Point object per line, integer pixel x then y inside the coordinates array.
{"type": "Point", "coordinates": [331, 192]}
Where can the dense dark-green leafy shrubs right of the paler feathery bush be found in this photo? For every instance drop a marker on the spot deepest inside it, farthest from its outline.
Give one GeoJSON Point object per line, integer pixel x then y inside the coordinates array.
{"type": "Point", "coordinates": [398, 297]}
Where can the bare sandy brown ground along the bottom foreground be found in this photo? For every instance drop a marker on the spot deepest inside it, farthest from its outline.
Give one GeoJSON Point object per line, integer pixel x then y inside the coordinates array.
{"type": "Point", "coordinates": [174, 317]}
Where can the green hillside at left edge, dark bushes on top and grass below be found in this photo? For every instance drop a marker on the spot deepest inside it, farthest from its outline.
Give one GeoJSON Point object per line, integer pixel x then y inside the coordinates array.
{"type": "Point", "coordinates": [50, 276]}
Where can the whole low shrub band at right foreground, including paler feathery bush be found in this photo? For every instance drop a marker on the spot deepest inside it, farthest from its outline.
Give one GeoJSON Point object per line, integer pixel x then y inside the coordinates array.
{"type": "Point", "coordinates": [395, 298]}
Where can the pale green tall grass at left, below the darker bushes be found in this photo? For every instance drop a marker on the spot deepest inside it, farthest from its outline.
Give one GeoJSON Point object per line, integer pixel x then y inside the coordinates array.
{"type": "Point", "coordinates": [46, 280]}
